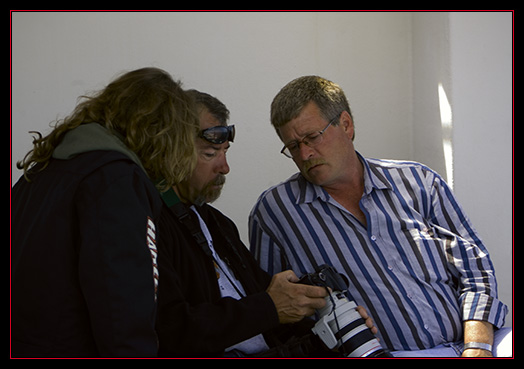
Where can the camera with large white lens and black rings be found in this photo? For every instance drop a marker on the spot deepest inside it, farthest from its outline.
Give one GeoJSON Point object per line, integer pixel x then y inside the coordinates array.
{"type": "Point", "coordinates": [340, 324]}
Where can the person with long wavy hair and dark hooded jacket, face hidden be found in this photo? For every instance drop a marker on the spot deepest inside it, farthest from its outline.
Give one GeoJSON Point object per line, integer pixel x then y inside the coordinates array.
{"type": "Point", "coordinates": [84, 275]}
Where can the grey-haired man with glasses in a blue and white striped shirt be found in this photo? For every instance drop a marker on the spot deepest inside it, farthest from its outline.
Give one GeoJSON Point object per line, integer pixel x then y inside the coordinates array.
{"type": "Point", "coordinates": [393, 228]}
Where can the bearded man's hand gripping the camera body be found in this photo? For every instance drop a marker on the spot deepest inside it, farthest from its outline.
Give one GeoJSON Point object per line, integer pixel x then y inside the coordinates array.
{"type": "Point", "coordinates": [294, 301]}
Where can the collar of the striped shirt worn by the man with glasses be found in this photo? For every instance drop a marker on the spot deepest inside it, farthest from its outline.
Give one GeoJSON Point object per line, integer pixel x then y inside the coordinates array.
{"type": "Point", "coordinates": [309, 192]}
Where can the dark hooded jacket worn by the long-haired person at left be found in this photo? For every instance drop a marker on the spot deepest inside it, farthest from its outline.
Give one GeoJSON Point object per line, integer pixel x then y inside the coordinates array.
{"type": "Point", "coordinates": [83, 254]}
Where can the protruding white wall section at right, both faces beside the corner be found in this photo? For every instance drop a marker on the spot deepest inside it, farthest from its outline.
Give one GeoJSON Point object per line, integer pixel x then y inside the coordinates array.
{"type": "Point", "coordinates": [470, 56]}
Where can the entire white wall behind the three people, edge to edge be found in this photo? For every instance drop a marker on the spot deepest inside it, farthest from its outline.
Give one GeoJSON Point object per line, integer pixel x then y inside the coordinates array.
{"type": "Point", "coordinates": [389, 64]}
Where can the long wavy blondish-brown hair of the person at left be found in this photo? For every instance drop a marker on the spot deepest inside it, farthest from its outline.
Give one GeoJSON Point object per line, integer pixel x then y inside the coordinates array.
{"type": "Point", "coordinates": [149, 110]}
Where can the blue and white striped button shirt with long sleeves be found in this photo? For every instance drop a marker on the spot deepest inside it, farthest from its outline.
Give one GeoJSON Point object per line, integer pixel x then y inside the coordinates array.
{"type": "Point", "coordinates": [419, 268]}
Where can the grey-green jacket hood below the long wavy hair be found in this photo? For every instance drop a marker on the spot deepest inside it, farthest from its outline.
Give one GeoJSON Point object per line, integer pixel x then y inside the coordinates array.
{"type": "Point", "coordinates": [92, 137]}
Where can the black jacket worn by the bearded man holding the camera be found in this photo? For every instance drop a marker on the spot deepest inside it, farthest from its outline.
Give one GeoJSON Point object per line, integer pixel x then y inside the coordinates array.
{"type": "Point", "coordinates": [193, 319]}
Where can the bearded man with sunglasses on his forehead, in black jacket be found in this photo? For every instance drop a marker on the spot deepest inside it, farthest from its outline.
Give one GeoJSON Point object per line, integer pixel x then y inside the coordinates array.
{"type": "Point", "coordinates": [214, 300]}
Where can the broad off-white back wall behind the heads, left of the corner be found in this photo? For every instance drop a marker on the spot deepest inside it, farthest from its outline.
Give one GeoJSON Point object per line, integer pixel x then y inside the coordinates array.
{"type": "Point", "coordinates": [241, 58]}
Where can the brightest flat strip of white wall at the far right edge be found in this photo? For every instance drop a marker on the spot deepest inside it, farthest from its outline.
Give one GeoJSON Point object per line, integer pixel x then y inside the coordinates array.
{"type": "Point", "coordinates": [481, 74]}
